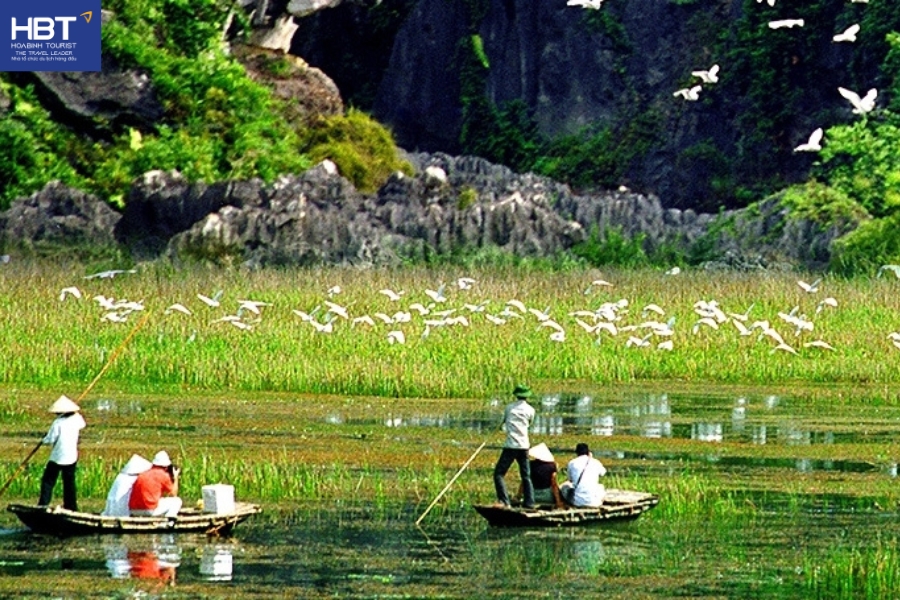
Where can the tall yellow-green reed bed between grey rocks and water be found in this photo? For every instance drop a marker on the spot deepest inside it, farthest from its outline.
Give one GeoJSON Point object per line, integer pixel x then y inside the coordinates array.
{"type": "Point", "coordinates": [50, 343]}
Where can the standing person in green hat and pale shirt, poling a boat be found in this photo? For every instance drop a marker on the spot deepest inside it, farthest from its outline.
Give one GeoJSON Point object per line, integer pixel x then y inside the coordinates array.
{"type": "Point", "coordinates": [517, 417]}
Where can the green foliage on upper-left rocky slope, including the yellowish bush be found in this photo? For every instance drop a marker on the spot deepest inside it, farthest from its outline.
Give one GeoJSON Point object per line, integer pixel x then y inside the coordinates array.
{"type": "Point", "coordinates": [218, 123]}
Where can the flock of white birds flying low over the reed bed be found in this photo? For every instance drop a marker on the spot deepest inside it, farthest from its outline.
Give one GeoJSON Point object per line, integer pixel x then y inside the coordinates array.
{"type": "Point", "coordinates": [608, 322]}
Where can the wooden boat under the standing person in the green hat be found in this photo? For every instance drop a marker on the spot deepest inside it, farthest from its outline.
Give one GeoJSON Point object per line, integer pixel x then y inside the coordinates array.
{"type": "Point", "coordinates": [618, 505]}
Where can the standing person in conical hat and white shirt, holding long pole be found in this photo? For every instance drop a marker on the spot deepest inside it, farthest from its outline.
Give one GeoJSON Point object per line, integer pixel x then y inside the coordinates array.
{"type": "Point", "coordinates": [63, 437]}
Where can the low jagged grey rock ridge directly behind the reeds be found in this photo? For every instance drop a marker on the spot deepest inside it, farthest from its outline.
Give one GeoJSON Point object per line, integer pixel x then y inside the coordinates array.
{"type": "Point", "coordinates": [451, 204]}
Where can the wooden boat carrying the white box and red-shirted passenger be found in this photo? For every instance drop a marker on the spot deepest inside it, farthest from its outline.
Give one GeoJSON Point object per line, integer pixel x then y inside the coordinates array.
{"type": "Point", "coordinates": [62, 522]}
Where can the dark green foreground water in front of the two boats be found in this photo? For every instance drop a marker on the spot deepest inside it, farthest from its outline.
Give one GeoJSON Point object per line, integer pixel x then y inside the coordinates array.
{"type": "Point", "coordinates": [326, 553]}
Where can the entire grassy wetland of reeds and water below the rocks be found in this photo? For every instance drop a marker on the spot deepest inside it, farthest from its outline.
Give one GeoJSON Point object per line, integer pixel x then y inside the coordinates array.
{"type": "Point", "coordinates": [777, 471]}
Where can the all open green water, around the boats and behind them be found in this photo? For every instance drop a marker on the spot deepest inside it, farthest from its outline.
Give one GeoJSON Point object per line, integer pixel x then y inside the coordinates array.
{"type": "Point", "coordinates": [353, 550]}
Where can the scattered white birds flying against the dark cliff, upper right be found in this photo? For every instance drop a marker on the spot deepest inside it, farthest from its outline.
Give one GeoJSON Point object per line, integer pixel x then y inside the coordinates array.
{"type": "Point", "coordinates": [861, 104]}
